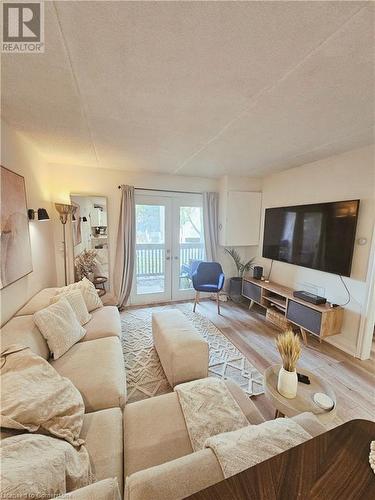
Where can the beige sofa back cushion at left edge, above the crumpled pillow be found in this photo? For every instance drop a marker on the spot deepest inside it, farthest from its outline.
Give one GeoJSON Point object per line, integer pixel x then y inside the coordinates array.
{"type": "Point", "coordinates": [22, 330]}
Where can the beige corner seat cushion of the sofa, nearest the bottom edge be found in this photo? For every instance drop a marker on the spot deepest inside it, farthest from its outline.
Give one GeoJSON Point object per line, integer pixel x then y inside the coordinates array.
{"type": "Point", "coordinates": [103, 435]}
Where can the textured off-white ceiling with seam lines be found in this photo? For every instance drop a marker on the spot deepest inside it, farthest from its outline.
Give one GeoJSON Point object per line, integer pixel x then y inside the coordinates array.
{"type": "Point", "coordinates": [196, 88]}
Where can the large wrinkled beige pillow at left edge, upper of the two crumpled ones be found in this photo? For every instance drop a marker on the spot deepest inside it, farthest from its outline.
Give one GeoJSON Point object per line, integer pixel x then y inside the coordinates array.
{"type": "Point", "coordinates": [34, 396]}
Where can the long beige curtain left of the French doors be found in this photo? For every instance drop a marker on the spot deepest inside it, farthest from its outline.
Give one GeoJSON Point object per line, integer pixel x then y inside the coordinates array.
{"type": "Point", "coordinates": [125, 248]}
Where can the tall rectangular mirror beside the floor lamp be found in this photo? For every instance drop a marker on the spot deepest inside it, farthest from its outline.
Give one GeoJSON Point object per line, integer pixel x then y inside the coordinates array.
{"type": "Point", "coordinates": [90, 240]}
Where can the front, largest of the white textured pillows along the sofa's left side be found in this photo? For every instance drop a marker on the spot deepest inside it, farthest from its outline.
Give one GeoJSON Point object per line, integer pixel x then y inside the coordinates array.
{"type": "Point", "coordinates": [59, 326]}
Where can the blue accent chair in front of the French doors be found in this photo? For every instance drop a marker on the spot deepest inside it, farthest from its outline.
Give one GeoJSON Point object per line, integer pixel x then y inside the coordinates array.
{"type": "Point", "coordinates": [208, 277]}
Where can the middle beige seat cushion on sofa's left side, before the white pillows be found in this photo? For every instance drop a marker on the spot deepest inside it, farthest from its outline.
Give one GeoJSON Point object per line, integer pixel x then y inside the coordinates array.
{"type": "Point", "coordinates": [97, 369]}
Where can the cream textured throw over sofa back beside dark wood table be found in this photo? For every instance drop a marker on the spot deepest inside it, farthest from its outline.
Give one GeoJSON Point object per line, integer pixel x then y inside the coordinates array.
{"type": "Point", "coordinates": [243, 448]}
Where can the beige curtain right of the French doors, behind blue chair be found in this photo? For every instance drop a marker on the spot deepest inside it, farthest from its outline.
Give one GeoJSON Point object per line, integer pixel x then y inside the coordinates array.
{"type": "Point", "coordinates": [210, 224]}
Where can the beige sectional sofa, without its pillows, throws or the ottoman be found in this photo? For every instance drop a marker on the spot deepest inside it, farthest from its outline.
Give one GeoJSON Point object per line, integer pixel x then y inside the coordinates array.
{"type": "Point", "coordinates": [146, 441]}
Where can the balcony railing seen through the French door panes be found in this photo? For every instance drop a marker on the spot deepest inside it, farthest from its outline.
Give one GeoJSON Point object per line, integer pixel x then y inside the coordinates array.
{"type": "Point", "coordinates": [151, 257]}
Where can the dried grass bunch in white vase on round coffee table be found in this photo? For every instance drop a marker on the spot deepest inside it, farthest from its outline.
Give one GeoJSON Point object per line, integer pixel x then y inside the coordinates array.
{"type": "Point", "coordinates": [289, 347]}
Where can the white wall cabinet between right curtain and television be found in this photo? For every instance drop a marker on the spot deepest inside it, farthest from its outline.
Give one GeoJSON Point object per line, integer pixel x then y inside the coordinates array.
{"type": "Point", "coordinates": [239, 218]}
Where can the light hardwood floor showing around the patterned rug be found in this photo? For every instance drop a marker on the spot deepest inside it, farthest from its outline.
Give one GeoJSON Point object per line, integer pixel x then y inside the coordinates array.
{"type": "Point", "coordinates": [353, 380]}
